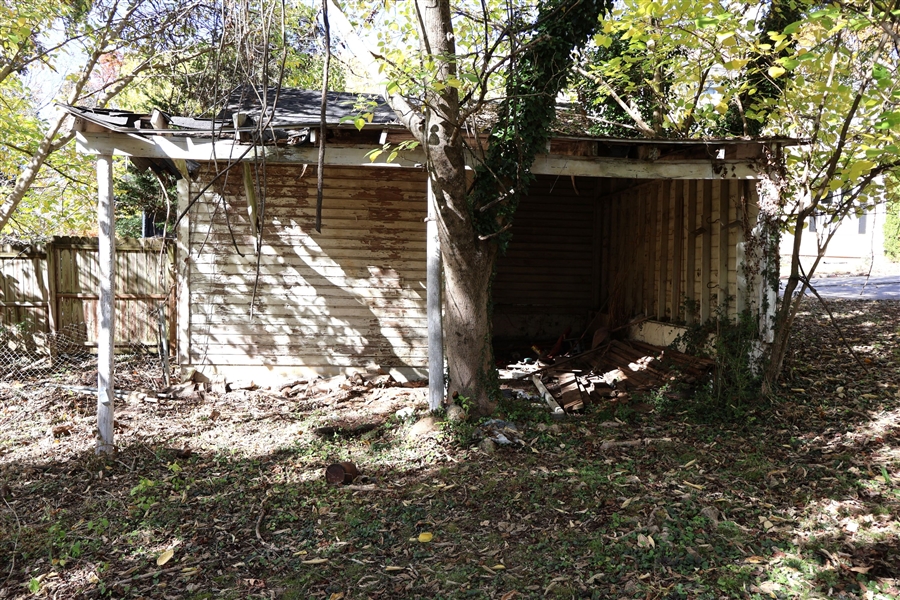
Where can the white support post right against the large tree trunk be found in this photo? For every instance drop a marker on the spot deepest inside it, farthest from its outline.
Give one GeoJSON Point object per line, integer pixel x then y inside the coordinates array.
{"type": "Point", "coordinates": [433, 303]}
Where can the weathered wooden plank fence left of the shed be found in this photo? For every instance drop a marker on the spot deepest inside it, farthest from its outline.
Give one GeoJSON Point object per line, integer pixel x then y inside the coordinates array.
{"type": "Point", "coordinates": [53, 288]}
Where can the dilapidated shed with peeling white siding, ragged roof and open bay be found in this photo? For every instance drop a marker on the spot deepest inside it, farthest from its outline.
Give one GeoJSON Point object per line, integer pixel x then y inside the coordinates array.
{"type": "Point", "coordinates": [667, 230]}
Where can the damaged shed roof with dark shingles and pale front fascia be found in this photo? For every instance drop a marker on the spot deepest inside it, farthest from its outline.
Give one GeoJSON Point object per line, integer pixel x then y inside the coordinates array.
{"type": "Point", "coordinates": [283, 127]}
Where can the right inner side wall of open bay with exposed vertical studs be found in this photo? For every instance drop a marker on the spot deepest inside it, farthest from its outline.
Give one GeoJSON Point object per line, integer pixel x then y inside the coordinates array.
{"type": "Point", "coordinates": [672, 252]}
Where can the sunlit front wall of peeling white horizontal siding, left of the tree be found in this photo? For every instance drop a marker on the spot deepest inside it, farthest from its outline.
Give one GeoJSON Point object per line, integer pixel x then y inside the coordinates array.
{"type": "Point", "coordinates": [349, 298]}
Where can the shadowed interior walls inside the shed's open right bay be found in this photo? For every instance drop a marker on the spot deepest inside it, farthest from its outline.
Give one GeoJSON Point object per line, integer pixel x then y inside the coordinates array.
{"type": "Point", "coordinates": [626, 248]}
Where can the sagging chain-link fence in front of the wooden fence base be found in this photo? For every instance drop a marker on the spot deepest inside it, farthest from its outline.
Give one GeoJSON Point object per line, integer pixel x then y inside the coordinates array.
{"type": "Point", "coordinates": [67, 357]}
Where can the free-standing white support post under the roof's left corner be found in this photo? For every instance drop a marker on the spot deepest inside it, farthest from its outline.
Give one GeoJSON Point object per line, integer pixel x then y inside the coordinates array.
{"type": "Point", "coordinates": [106, 339]}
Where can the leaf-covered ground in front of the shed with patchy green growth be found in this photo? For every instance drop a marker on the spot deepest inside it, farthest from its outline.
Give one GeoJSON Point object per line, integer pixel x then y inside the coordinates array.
{"type": "Point", "coordinates": [225, 496]}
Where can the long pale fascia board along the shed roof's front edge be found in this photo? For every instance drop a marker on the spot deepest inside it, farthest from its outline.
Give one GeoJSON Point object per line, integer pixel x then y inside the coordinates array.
{"type": "Point", "coordinates": [205, 150]}
